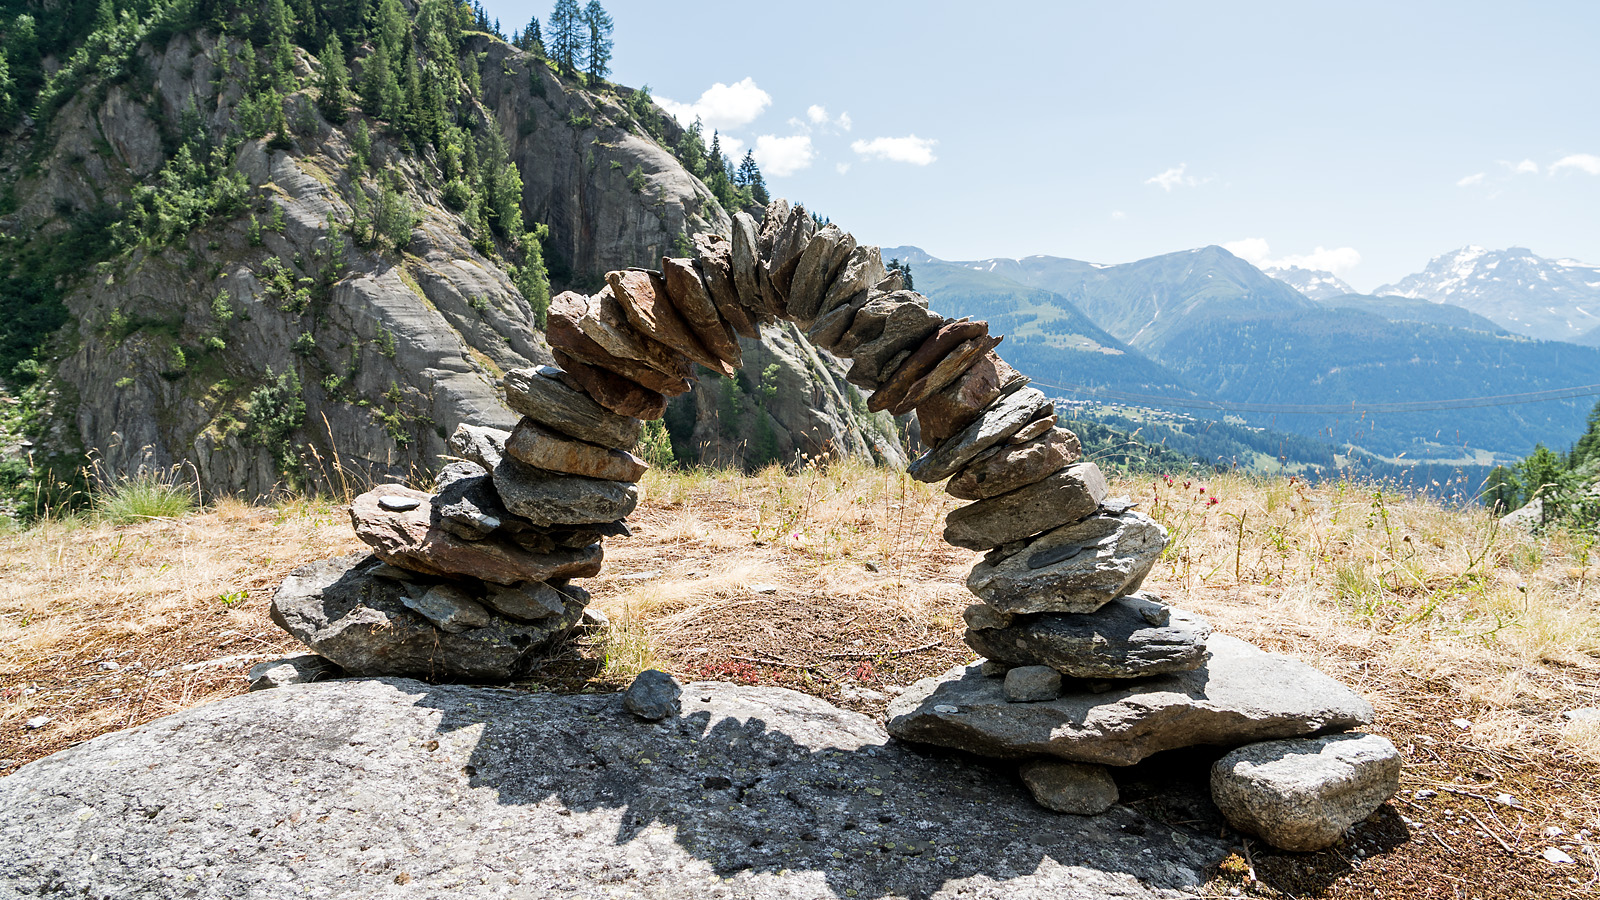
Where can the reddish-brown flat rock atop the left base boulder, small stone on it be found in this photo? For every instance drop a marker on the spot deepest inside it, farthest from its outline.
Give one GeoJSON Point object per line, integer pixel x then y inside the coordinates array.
{"type": "Point", "coordinates": [412, 540]}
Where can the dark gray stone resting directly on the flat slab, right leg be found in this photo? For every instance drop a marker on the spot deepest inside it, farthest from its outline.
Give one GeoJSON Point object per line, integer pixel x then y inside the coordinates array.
{"type": "Point", "coordinates": [1114, 643]}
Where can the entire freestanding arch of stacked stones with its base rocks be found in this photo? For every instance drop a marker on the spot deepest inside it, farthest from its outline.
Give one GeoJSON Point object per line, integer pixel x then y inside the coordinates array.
{"type": "Point", "coordinates": [1081, 672]}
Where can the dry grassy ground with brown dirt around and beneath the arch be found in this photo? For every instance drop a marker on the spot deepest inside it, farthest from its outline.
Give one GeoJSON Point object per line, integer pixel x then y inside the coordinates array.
{"type": "Point", "coordinates": [838, 585]}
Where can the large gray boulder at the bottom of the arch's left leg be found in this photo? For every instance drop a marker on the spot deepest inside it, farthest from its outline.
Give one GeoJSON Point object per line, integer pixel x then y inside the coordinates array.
{"type": "Point", "coordinates": [346, 613]}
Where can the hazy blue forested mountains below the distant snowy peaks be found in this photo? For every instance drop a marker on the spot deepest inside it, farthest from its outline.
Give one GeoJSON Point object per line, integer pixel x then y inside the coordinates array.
{"type": "Point", "coordinates": [1206, 326]}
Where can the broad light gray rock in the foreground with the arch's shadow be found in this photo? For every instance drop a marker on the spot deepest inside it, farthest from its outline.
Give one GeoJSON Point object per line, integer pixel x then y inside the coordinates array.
{"type": "Point", "coordinates": [399, 789]}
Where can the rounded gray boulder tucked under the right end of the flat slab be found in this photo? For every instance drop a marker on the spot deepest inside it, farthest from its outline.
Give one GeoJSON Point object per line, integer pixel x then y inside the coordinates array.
{"type": "Point", "coordinates": [1302, 795]}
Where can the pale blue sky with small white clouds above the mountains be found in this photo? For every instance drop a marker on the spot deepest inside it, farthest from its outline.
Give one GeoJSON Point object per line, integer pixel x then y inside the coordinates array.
{"type": "Point", "coordinates": [1358, 137]}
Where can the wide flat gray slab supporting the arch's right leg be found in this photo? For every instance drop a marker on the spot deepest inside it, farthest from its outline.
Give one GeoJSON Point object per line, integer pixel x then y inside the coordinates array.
{"type": "Point", "coordinates": [1241, 696]}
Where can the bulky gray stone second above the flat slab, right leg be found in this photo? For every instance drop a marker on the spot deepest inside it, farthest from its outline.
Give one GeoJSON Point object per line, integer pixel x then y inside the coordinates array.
{"type": "Point", "coordinates": [1076, 568]}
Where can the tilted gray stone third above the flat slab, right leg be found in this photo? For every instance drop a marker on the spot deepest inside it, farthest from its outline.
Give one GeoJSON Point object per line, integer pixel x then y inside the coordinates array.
{"type": "Point", "coordinates": [1066, 497]}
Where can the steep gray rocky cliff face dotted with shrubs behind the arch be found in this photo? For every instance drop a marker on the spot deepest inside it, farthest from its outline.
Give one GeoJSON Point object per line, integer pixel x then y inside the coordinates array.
{"type": "Point", "coordinates": [268, 348]}
